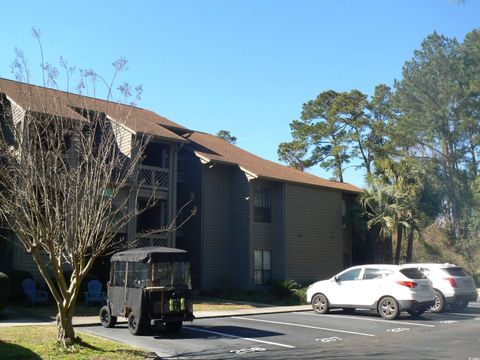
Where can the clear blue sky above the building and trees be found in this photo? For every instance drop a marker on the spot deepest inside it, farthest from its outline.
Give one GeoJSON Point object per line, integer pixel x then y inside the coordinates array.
{"type": "Point", "coordinates": [244, 66]}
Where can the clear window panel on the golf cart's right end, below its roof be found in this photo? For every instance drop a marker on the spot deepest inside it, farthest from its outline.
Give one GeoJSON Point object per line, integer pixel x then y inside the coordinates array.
{"type": "Point", "coordinates": [171, 273]}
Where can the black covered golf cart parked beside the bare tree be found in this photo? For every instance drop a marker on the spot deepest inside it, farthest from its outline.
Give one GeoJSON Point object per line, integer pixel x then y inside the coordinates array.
{"type": "Point", "coordinates": [149, 286]}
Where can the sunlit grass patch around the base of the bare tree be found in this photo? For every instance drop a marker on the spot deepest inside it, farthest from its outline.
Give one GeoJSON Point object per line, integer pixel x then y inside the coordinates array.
{"type": "Point", "coordinates": [39, 342]}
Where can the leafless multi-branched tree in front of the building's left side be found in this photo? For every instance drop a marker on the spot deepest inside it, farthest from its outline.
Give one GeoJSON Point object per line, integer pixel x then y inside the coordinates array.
{"type": "Point", "coordinates": [66, 188]}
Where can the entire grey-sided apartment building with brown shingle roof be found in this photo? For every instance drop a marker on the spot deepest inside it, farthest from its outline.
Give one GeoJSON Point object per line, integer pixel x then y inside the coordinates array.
{"type": "Point", "coordinates": [257, 220]}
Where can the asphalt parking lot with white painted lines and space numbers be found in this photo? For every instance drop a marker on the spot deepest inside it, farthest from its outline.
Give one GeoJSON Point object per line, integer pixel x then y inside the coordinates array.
{"type": "Point", "coordinates": [306, 335]}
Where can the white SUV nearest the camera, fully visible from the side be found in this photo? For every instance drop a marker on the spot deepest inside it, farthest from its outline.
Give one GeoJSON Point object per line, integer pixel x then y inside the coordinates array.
{"type": "Point", "coordinates": [389, 289]}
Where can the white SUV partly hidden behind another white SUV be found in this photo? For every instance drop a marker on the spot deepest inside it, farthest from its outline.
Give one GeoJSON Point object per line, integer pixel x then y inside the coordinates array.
{"type": "Point", "coordinates": [452, 285]}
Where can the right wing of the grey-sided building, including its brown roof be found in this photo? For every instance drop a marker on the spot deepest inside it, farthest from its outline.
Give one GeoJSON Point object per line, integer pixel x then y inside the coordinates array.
{"type": "Point", "coordinates": [259, 220]}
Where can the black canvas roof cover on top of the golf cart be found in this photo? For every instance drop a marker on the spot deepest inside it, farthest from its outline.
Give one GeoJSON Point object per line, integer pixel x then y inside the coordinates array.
{"type": "Point", "coordinates": [152, 254]}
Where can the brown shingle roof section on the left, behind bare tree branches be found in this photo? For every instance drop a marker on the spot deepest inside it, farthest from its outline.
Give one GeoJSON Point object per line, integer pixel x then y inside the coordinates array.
{"type": "Point", "coordinates": [49, 101]}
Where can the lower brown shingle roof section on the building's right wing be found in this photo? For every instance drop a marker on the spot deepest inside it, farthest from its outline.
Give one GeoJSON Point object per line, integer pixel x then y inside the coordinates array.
{"type": "Point", "coordinates": [212, 148]}
